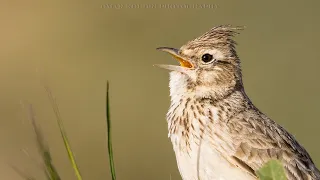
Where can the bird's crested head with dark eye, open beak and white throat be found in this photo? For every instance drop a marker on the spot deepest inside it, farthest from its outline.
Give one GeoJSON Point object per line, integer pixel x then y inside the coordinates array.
{"type": "Point", "coordinates": [209, 65]}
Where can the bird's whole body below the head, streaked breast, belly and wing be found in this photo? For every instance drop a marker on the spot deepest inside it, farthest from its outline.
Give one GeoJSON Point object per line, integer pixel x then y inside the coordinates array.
{"type": "Point", "coordinates": [229, 142]}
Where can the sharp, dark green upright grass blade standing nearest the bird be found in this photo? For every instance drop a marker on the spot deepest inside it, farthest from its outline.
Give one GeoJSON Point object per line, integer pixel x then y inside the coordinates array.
{"type": "Point", "coordinates": [110, 151]}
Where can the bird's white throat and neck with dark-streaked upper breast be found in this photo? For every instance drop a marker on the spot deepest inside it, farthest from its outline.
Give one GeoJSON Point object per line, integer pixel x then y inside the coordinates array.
{"type": "Point", "coordinates": [190, 112]}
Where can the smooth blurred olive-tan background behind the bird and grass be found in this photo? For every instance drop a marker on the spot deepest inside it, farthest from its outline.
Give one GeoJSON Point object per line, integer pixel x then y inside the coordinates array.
{"type": "Point", "coordinates": [75, 46]}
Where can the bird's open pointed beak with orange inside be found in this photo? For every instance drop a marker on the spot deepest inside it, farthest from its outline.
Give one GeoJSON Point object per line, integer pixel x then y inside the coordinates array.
{"type": "Point", "coordinates": [184, 64]}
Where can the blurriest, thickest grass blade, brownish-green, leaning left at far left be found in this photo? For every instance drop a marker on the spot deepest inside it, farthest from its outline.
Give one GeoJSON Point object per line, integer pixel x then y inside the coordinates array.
{"type": "Point", "coordinates": [50, 170]}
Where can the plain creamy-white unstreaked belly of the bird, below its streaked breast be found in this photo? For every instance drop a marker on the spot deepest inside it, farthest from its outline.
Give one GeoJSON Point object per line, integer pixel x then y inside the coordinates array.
{"type": "Point", "coordinates": [210, 165]}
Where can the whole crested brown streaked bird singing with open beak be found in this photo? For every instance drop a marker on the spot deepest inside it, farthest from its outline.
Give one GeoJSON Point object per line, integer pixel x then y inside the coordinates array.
{"type": "Point", "coordinates": [216, 131]}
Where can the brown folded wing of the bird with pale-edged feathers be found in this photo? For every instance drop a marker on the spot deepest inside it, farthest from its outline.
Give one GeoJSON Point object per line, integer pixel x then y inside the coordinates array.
{"type": "Point", "coordinates": [257, 139]}
